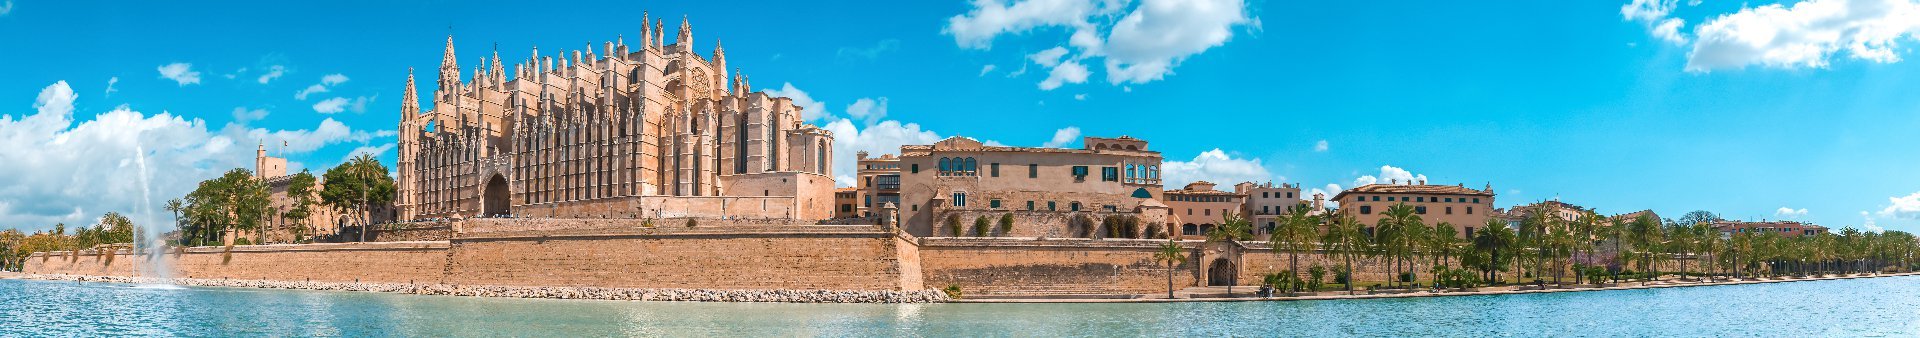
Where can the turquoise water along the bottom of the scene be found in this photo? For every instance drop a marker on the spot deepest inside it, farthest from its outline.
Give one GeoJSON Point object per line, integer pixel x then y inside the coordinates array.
{"type": "Point", "coordinates": [1827, 308]}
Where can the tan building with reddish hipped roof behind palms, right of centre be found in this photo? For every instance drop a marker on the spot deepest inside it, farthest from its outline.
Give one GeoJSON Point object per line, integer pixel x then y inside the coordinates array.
{"type": "Point", "coordinates": [1460, 206]}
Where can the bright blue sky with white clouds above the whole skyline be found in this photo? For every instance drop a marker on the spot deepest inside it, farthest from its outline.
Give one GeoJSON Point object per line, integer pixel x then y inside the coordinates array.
{"type": "Point", "coordinates": [1760, 110]}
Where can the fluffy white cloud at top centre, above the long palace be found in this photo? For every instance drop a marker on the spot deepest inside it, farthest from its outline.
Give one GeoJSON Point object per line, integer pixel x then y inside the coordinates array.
{"type": "Point", "coordinates": [1136, 41]}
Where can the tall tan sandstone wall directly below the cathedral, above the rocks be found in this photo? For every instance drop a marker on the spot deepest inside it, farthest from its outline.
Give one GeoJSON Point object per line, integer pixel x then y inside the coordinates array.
{"type": "Point", "coordinates": [794, 258]}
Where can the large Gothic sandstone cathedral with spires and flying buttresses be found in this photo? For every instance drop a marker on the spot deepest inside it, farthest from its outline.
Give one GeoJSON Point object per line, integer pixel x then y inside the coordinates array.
{"type": "Point", "coordinates": [650, 132]}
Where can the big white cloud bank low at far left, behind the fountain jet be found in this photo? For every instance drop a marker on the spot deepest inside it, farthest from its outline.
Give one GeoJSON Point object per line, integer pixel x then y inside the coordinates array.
{"type": "Point", "coordinates": [122, 160]}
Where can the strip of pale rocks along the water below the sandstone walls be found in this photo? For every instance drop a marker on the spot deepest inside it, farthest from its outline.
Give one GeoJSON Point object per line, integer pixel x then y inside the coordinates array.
{"type": "Point", "coordinates": [554, 293]}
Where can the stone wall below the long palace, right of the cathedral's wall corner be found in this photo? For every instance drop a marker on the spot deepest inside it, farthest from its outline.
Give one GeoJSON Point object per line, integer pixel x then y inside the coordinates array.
{"type": "Point", "coordinates": [1051, 268]}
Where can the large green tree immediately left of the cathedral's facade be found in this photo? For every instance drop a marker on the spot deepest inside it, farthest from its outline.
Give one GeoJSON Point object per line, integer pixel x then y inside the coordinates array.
{"type": "Point", "coordinates": [358, 185]}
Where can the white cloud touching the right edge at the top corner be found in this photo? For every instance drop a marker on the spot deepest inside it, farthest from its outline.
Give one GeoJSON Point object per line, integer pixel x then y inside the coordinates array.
{"type": "Point", "coordinates": [1806, 34]}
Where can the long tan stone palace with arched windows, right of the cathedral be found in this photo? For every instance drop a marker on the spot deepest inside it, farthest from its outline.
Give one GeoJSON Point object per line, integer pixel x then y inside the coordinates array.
{"type": "Point", "coordinates": [1044, 187]}
